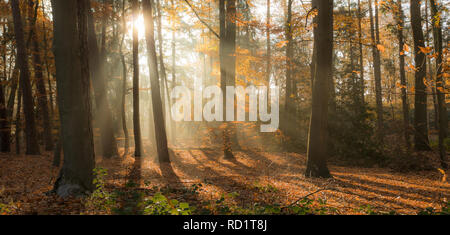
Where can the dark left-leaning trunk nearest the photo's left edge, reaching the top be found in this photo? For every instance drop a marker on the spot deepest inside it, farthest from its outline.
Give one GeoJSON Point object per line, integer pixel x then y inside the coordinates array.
{"type": "Point", "coordinates": [32, 146]}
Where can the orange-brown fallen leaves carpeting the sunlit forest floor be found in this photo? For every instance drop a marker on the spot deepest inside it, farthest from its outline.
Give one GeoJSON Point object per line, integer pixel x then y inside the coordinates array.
{"type": "Point", "coordinates": [200, 175]}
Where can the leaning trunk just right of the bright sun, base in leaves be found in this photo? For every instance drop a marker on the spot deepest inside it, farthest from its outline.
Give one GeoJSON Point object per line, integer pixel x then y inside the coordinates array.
{"type": "Point", "coordinates": [158, 117]}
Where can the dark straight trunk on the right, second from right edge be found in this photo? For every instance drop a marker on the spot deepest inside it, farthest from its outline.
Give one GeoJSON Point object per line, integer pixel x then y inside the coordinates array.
{"type": "Point", "coordinates": [420, 97]}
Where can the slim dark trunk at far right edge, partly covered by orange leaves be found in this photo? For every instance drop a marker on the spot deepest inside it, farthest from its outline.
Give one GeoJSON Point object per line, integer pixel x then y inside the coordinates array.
{"type": "Point", "coordinates": [440, 83]}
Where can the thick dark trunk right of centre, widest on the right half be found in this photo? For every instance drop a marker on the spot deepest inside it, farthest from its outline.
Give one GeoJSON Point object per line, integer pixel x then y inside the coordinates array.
{"type": "Point", "coordinates": [318, 130]}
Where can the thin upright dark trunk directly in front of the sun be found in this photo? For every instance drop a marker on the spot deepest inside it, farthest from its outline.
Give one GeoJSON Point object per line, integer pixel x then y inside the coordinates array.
{"type": "Point", "coordinates": [136, 118]}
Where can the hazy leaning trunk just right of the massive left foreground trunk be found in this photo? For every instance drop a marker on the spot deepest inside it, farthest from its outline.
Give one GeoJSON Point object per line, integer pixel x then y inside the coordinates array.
{"type": "Point", "coordinates": [97, 61]}
